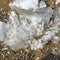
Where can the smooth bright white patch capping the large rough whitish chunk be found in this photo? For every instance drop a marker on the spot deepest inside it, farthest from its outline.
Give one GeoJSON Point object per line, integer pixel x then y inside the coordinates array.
{"type": "Point", "coordinates": [25, 4]}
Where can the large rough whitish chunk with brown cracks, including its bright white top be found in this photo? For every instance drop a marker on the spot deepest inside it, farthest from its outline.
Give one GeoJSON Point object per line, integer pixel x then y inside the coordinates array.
{"type": "Point", "coordinates": [26, 27]}
